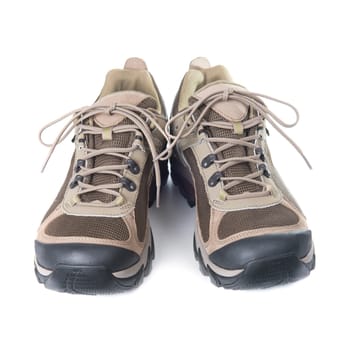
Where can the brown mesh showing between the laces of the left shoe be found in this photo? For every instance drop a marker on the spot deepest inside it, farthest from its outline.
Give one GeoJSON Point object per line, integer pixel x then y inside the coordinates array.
{"type": "Point", "coordinates": [120, 140]}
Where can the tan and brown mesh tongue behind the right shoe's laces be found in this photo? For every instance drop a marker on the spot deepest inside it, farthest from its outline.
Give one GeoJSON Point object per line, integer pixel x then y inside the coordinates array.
{"type": "Point", "coordinates": [234, 112]}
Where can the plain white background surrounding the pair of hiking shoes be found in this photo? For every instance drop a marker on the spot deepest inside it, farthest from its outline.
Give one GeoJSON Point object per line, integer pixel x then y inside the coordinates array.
{"type": "Point", "coordinates": [54, 55]}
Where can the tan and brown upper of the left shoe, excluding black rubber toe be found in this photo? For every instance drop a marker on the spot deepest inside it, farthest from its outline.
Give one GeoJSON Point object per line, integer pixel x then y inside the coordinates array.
{"type": "Point", "coordinates": [104, 199]}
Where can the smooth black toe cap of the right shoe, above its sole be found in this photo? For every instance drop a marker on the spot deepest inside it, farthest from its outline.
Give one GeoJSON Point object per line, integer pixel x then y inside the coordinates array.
{"type": "Point", "coordinates": [237, 254]}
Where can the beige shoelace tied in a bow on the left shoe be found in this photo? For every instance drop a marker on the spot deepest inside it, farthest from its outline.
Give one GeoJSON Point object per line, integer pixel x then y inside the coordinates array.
{"type": "Point", "coordinates": [142, 120]}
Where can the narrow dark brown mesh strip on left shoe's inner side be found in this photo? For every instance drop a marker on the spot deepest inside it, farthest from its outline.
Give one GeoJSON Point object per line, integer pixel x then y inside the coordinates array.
{"type": "Point", "coordinates": [141, 206]}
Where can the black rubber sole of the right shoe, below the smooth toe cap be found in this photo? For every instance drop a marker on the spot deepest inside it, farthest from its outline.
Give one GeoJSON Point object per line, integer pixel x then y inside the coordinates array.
{"type": "Point", "coordinates": [257, 274]}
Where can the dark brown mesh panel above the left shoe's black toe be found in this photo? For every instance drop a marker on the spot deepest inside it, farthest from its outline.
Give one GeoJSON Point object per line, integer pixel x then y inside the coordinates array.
{"type": "Point", "coordinates": [87, 226]}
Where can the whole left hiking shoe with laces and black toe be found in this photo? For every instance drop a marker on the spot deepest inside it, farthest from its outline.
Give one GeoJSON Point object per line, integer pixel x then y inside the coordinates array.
{"type": "Point", "coordinates": [96, 237]}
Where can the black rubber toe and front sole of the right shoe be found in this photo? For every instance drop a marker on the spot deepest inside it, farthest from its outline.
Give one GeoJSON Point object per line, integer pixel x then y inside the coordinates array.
{"type": "Point", "coordinates": [260, 262]}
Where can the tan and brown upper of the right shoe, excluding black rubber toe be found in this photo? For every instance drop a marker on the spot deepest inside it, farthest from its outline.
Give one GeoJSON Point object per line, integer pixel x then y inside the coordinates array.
{"type": "Point", "coordinates": [219, 128]}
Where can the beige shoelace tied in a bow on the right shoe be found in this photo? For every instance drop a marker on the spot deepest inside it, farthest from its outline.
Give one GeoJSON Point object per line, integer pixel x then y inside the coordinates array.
{"type": "Point", "coordinates": [255, 102]}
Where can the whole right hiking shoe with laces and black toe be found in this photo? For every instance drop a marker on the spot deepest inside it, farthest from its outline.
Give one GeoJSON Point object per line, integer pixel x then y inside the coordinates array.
{"type": "Point", "coordinates": [250, 231]}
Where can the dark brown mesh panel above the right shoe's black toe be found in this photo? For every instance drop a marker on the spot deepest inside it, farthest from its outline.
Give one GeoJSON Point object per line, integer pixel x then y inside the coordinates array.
{"type": "Point", "coordinates": [237, 221]}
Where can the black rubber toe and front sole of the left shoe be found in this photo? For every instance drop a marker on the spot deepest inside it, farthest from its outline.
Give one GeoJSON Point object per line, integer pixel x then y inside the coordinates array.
{"type": "Point", "coordinates": [89, 268]}
